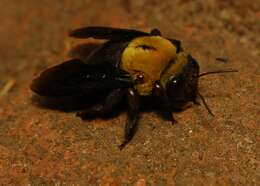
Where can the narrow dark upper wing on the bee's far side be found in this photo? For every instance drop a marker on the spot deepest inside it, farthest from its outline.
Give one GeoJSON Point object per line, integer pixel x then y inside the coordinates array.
{"type": "Point", "coordinates": [108, 33]}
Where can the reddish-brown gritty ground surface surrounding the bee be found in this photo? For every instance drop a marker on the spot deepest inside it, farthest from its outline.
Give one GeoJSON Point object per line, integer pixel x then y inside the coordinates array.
{"type": "Point", "coordinates": [41, 146]}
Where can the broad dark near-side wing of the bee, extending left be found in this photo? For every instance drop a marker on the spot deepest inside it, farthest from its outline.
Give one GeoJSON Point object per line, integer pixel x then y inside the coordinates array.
{"type": "Point", "coordinates": [74, 77]}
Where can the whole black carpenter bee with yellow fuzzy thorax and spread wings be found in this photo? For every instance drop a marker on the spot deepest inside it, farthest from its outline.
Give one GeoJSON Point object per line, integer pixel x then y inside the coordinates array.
{"type": "Point", "coordinates": [130, 65]}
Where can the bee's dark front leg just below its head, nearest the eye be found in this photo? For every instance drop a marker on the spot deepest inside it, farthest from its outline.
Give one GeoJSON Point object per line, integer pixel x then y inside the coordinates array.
{"type": "Point", "coordinates": [159, 91]}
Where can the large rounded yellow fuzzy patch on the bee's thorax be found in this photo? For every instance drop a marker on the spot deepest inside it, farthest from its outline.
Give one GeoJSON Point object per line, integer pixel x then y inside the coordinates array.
{"type": "Point", "coordinates": [149, 61]}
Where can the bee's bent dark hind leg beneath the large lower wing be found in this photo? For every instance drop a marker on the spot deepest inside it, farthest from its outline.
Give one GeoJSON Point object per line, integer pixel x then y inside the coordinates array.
{"type": "Point", "coordinates": [111, 101]}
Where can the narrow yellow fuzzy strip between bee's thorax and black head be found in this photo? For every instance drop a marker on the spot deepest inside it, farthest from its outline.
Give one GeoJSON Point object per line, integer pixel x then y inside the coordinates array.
{"type": "Point", "coordinates": [175, 68]}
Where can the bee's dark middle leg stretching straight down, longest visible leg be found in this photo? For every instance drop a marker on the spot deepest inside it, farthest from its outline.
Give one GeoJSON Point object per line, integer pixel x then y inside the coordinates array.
{"type": "Point", "coordinates": [130, 127]}
